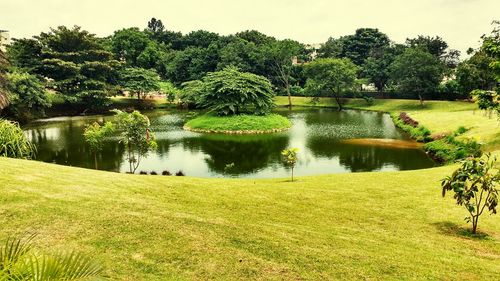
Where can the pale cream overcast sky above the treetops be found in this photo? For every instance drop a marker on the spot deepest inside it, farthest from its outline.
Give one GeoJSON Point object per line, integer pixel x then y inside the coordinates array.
{"type": "Point", "coordinates": [459, 22]}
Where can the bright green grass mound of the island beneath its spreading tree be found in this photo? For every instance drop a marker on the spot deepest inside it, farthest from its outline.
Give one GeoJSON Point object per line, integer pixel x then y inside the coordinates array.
{"type": "Point", "coordinates": [238, 123]}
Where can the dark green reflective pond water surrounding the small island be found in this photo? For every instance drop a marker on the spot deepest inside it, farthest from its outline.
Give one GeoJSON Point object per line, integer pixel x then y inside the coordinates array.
{"type": "Point", "coordinates": [329, 142]}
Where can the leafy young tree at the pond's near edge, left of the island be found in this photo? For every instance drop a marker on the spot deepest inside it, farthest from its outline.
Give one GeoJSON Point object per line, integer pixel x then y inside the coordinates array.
{"type": "Point", "coordinates": [136, 136]}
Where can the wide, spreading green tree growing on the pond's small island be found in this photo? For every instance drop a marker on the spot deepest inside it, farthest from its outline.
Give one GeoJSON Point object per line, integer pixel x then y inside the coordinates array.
{"type": "Point", "coordinates": [230, 92]}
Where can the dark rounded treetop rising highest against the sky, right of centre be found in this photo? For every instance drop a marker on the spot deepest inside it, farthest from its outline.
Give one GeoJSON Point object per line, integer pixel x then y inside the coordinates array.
{"type": "Point", "coordinates": [359, 46]}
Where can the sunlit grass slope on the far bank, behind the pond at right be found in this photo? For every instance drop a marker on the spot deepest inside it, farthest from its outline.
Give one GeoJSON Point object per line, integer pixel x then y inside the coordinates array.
{"type": "Point", "coordinates": [438, 116]}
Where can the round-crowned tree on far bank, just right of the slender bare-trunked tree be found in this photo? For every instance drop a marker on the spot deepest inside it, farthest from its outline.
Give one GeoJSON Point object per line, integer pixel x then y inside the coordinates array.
{"type": "Point", "coordinates": [331, 76]}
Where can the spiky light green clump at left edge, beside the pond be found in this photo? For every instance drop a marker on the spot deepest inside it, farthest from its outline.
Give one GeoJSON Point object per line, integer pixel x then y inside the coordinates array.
{"type": "Point", "coordinates": [13, 142]}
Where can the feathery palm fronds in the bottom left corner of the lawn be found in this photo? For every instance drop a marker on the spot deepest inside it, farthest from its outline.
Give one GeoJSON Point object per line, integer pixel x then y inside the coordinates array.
{"type": "Point", "coordinates": [20, 262]}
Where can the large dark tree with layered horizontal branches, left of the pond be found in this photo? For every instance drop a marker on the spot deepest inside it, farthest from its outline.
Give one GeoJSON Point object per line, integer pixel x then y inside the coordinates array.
{"type": "Point", "coordinates": [79, 66]}
